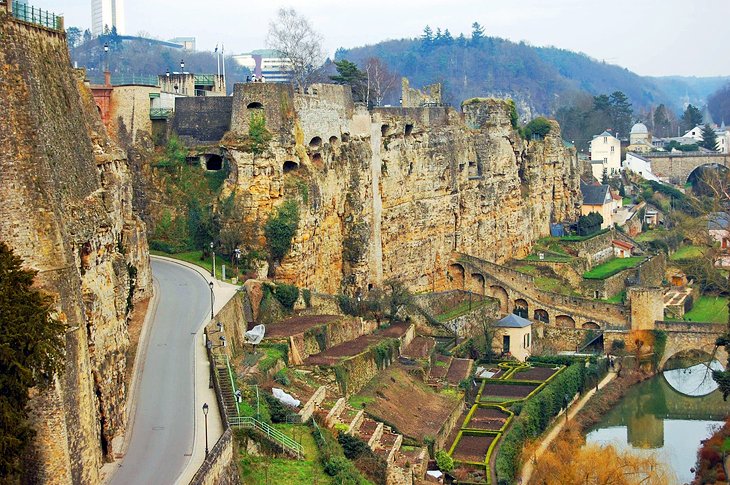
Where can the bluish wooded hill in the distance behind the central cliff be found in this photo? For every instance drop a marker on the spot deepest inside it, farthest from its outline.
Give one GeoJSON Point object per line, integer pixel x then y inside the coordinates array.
{"type": "Point", "coordinates": [538, 78]}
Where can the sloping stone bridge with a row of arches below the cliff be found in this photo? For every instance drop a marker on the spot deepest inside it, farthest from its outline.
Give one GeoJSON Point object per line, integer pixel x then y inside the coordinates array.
{"type": "Point", "coordinates": [517, 291]}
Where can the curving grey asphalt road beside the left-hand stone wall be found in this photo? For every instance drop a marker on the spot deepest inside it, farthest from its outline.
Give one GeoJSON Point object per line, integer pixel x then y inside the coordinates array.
{"type": "Point", "coordinates": [162, 434]}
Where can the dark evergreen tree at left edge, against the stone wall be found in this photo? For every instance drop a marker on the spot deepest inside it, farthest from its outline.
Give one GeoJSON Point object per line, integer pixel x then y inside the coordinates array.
{"type": "Point", "coordinates": [31, 352]}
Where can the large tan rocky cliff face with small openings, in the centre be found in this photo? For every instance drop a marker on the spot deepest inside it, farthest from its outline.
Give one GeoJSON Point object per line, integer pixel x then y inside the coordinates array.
{"type": "Point", "coordinates": [391, 193]}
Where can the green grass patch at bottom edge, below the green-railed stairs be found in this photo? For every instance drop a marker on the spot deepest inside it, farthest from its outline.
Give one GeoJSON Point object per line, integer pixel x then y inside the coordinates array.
{"type": "Point", "coordinates": [261, 469]}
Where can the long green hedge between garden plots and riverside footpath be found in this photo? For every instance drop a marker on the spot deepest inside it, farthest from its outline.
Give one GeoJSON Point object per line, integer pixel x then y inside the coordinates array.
{"type": "Point", "coordinates": [535, 416]}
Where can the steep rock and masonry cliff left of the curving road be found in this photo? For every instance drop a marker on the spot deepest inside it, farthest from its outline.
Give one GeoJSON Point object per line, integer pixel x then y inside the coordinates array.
{"type": "Point", "coordinates": [67, 211]}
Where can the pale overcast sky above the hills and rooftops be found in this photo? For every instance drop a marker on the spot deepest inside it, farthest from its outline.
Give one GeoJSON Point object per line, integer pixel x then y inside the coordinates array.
{"type": "Point", "coordinates": [649, 37]}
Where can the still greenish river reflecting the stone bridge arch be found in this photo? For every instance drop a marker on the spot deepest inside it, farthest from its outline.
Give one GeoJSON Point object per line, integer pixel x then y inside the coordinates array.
{"type": "Point", "coordinates": [668, 415]}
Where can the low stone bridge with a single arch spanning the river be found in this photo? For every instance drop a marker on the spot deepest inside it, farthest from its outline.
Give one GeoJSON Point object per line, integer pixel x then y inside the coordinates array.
{"type": "Point", "coordinates": [684, 336]}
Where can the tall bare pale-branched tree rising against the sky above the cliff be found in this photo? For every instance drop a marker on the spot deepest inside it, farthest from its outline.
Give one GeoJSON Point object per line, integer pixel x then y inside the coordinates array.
{"type": "Point", "coordinates": [295, 38]}
